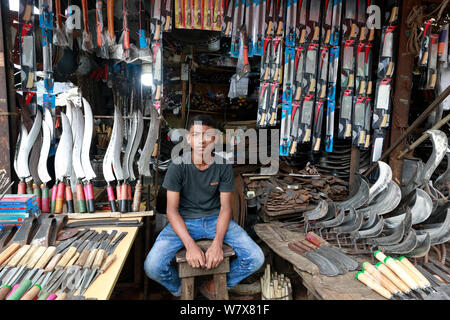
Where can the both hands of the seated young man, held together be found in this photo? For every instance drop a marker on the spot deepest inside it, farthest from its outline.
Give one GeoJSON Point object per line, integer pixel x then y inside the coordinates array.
{"type": "Point", "coordinates": [196, 258]}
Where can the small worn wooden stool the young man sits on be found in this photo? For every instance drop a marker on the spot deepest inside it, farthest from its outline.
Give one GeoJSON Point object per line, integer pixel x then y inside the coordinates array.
{"type": "Point", "coordinates": [188, 274]}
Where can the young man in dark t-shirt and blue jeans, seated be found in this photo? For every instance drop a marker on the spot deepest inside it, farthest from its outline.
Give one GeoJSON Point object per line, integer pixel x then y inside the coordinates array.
{"type": "Point", "coordinates": [199, 207]}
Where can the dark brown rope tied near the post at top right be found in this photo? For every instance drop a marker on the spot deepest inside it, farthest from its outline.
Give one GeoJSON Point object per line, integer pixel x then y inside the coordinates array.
{"type": "Point", "coordinates": [416, 20]}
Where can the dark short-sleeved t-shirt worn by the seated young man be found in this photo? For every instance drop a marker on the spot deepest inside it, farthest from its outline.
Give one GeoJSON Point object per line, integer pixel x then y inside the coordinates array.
{"type": "Point", "coordinates": [199, 189]}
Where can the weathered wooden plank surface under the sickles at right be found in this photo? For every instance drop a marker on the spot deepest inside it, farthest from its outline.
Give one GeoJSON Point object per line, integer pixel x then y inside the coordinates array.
{"type": "Point", "coordinates": [342, 287]}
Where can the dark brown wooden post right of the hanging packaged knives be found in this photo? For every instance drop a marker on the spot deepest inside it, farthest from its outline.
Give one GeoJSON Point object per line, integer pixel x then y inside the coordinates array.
{"type": "Point", "coordinates": [402, 96]}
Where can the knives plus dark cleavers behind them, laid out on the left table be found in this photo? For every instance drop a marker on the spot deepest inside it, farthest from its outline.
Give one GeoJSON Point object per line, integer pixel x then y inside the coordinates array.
{"type": "Point", "coordinates": [42, 262]}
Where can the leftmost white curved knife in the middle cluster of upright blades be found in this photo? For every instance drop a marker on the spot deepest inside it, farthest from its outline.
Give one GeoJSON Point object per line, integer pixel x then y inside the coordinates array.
{"type": "Point", "coordinates": [63, 159]}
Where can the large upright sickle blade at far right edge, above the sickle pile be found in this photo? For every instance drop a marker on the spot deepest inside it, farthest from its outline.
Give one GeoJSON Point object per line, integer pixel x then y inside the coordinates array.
{"type": "Point", "coordinates": [440, 144]}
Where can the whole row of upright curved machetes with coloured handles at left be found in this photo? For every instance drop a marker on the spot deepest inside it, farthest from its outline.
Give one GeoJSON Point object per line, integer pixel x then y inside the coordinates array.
{"type": "Point", "coordinates": [73, 190]}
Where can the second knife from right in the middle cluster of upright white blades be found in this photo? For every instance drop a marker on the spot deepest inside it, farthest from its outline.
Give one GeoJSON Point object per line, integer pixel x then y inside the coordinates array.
{"type": "Point", "coordinates": [76, 160]}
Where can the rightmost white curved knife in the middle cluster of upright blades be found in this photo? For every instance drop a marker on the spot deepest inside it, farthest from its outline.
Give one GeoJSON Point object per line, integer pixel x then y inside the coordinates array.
{"type": "Point", "coordinates": [85, 149]}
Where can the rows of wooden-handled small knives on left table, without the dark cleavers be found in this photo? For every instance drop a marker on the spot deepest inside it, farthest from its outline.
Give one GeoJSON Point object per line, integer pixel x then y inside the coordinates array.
{"type": "Point", "coordinates": [34, 271]}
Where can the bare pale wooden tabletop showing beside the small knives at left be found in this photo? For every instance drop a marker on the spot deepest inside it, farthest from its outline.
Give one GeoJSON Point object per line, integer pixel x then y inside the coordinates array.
{"type": "Point", "coordinates": [103, 286]}
